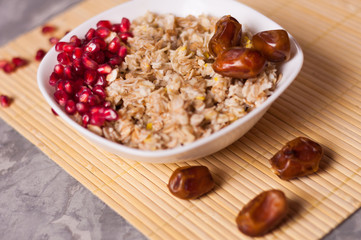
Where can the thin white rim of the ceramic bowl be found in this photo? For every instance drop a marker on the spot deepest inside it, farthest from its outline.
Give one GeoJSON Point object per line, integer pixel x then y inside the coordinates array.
{"type": "Point", "coordinates": [180, 149]}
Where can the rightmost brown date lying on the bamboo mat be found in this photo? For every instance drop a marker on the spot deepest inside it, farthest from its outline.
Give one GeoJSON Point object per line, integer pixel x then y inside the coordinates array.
{"type": "Point", "coordinates": [297, 158]}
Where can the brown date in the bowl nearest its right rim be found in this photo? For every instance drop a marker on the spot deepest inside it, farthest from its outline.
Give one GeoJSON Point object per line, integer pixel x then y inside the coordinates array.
{"type": "Point", "coordinates": [273, 44]}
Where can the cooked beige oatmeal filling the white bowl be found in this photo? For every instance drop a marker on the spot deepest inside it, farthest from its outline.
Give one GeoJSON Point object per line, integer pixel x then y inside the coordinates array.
{"type": "Point", "coordinates": [166, 92]}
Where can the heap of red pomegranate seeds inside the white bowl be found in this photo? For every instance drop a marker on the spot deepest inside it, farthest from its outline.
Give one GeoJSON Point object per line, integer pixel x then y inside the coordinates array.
{"type": "Point", "coordinates": [79, 78]}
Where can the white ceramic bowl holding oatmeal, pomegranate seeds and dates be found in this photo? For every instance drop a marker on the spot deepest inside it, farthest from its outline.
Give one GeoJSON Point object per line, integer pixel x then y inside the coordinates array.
{"type": "Point", "coordinates": [254, 21]}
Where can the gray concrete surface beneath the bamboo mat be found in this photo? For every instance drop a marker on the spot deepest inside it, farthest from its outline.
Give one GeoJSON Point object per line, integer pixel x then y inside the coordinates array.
{"type": "Point", "coordinates": [39, 200]}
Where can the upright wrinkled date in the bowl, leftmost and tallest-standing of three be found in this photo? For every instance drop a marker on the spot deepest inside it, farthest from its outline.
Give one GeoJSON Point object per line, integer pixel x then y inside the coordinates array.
{"type": "Point", "coordinates": [228, 34]}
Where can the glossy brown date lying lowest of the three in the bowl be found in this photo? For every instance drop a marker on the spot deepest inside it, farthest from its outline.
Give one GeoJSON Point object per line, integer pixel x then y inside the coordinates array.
{"type": "Point", "coordinates": [238, 62]}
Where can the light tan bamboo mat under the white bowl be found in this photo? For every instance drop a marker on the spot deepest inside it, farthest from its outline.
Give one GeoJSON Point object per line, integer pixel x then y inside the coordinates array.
{"type": "Point", "coordinates": [323, 104]}
